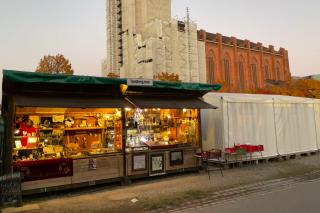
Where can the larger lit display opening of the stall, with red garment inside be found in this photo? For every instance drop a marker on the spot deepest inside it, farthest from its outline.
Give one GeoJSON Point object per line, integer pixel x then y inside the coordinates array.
{"type": "Point", "coordinates": [42, 133]}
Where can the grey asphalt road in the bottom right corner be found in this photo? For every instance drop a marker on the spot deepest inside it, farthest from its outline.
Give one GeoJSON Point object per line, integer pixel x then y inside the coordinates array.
{"type": "Point", "coordinates": [299, 198]}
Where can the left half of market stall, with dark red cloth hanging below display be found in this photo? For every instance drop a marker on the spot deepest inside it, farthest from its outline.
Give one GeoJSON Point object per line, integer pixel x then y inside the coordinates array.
{"type": "Point", "coordinates": [63, 130]}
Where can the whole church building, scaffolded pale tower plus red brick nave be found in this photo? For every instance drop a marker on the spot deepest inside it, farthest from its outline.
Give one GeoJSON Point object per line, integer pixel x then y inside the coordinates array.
{"type": "Point", "coordinates": [144, 41]}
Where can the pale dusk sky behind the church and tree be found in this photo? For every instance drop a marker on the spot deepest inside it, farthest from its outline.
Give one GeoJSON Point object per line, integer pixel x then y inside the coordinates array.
{"type": "Point", "coordinates": [30, 29]}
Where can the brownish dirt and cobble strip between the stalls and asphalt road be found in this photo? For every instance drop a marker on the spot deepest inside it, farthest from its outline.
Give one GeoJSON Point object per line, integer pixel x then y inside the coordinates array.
{"type": "Point", "coordinates": [113, 198]}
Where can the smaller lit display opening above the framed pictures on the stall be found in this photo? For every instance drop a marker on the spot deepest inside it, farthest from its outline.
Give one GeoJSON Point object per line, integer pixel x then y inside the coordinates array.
{"type": "Point", "coordinates": [155, 128]}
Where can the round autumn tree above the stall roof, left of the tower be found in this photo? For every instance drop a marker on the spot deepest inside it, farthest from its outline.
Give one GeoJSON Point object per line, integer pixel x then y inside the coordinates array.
{"type": "Point", "coordinates": [55, 65]}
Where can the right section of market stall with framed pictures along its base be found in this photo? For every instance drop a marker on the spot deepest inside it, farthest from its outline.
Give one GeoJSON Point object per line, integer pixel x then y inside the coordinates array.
{"type": "Point", "coordinates": [163, 132]}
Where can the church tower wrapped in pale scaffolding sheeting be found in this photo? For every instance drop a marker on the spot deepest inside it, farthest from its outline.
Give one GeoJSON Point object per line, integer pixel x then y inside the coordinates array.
{"type": "Point", "coordinates": [144, 41]}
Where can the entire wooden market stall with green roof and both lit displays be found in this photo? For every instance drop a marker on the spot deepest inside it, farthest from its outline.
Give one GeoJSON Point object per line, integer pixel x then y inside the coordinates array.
{"type": "Point", "coordinates": [68, 131]}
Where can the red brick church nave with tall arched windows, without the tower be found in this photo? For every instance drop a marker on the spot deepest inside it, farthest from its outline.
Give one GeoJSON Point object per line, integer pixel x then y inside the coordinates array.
{"type": "Point", "coordinates": [242, 65]}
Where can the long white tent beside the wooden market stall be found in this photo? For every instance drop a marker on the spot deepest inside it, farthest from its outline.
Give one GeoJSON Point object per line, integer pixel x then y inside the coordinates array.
{"type": "Point", "coordinates": [284, 125]}
